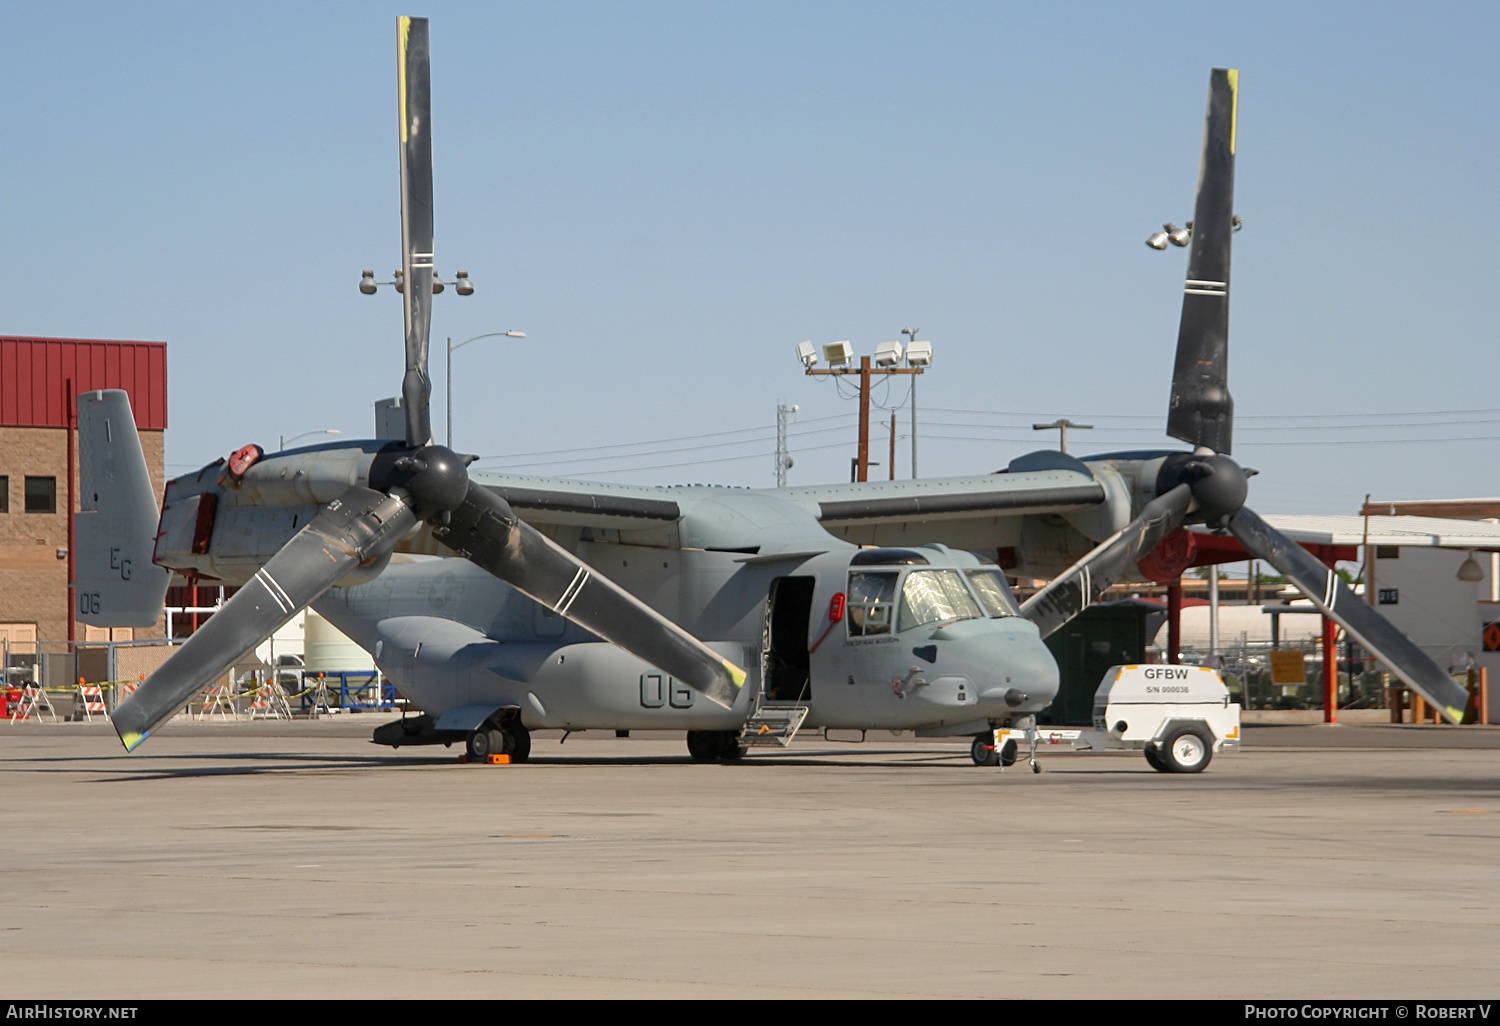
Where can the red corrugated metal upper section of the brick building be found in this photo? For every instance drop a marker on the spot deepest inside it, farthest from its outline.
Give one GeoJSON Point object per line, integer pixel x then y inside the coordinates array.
{"type": "Point", "coordinates": [35, 376]}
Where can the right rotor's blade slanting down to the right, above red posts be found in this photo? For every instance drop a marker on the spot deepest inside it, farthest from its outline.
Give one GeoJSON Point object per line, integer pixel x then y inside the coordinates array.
{"type": "Point", "coordinates": [1333, 598]}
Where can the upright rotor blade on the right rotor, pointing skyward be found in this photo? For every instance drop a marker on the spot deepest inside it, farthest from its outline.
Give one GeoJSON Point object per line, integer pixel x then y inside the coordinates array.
{"type": "Point", "coordinates": [1202, 412]}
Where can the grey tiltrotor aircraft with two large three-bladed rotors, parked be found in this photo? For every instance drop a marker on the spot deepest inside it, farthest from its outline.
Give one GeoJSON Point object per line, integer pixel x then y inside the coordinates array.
{"type": "Point", "coordinates": [707, 610]}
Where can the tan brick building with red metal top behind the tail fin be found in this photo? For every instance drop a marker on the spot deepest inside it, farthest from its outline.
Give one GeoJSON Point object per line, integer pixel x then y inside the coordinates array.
{"type": "Point", "coordinates": [40, 383]}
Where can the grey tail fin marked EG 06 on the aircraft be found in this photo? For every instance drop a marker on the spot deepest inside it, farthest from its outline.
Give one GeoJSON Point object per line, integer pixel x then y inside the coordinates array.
{"type": "Point", "coordinates": [115, 532]}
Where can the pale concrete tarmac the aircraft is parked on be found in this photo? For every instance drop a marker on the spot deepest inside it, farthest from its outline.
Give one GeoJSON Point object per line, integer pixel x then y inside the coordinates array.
{"type": "Point", "coordinates": [238, 860]}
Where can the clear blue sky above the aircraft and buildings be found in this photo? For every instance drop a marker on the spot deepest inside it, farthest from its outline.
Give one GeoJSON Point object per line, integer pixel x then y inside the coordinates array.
{"type": "Point", "coordinates": [668, 197]}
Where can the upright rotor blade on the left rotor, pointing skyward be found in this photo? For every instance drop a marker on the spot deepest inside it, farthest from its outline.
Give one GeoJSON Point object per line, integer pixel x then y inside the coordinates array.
{"type": "Point", "coordinates": [416, 221]}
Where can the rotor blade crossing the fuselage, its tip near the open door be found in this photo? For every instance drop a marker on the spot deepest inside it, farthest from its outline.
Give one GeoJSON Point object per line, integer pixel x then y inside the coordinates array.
{"type": "Point", "coordinates": [487, 532]}
